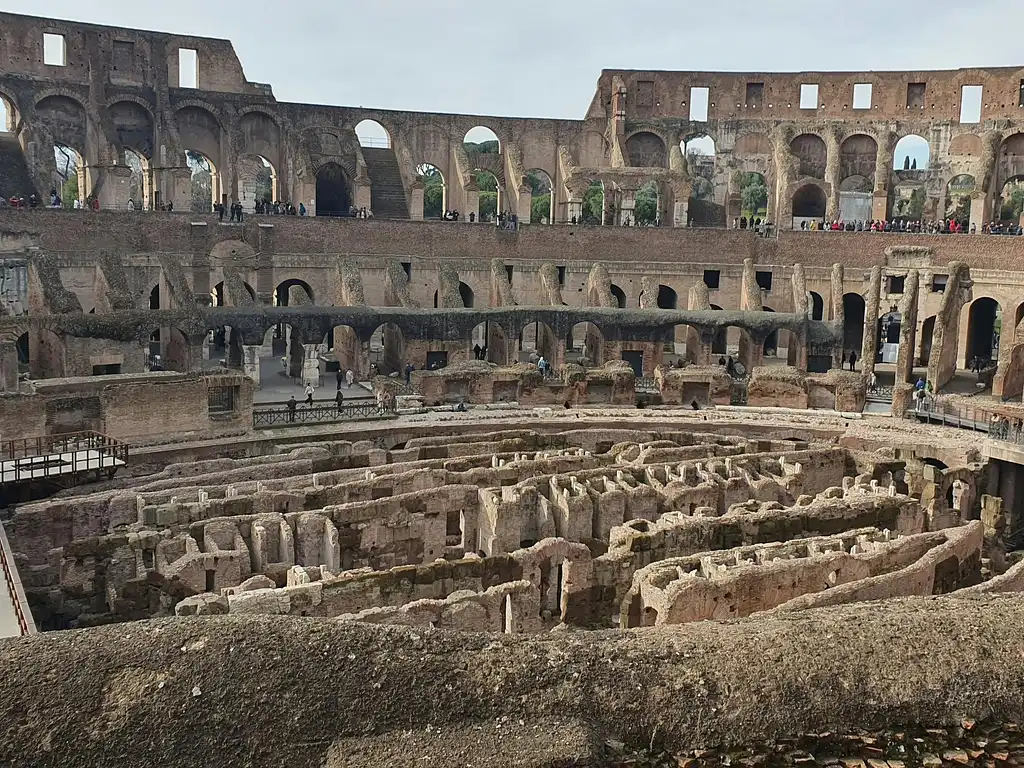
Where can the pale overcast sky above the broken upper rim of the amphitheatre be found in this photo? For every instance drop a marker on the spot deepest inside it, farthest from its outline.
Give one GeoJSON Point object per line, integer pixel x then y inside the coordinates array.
{"type": "Point", "coordinates": [542, 58]}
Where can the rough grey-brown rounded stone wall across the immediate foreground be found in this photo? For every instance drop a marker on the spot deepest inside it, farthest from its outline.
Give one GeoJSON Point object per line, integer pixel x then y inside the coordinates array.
{"type": "Point", "coordinates": [813, 689]}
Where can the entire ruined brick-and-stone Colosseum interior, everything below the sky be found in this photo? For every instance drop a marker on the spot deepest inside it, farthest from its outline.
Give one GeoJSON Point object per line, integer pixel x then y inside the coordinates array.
{"type": "Point", "coordinates": [532, 486]}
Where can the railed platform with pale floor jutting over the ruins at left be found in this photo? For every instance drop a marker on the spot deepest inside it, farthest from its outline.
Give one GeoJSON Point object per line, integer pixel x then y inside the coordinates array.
{"type": "Point", "coordinates": [60, 456]}
